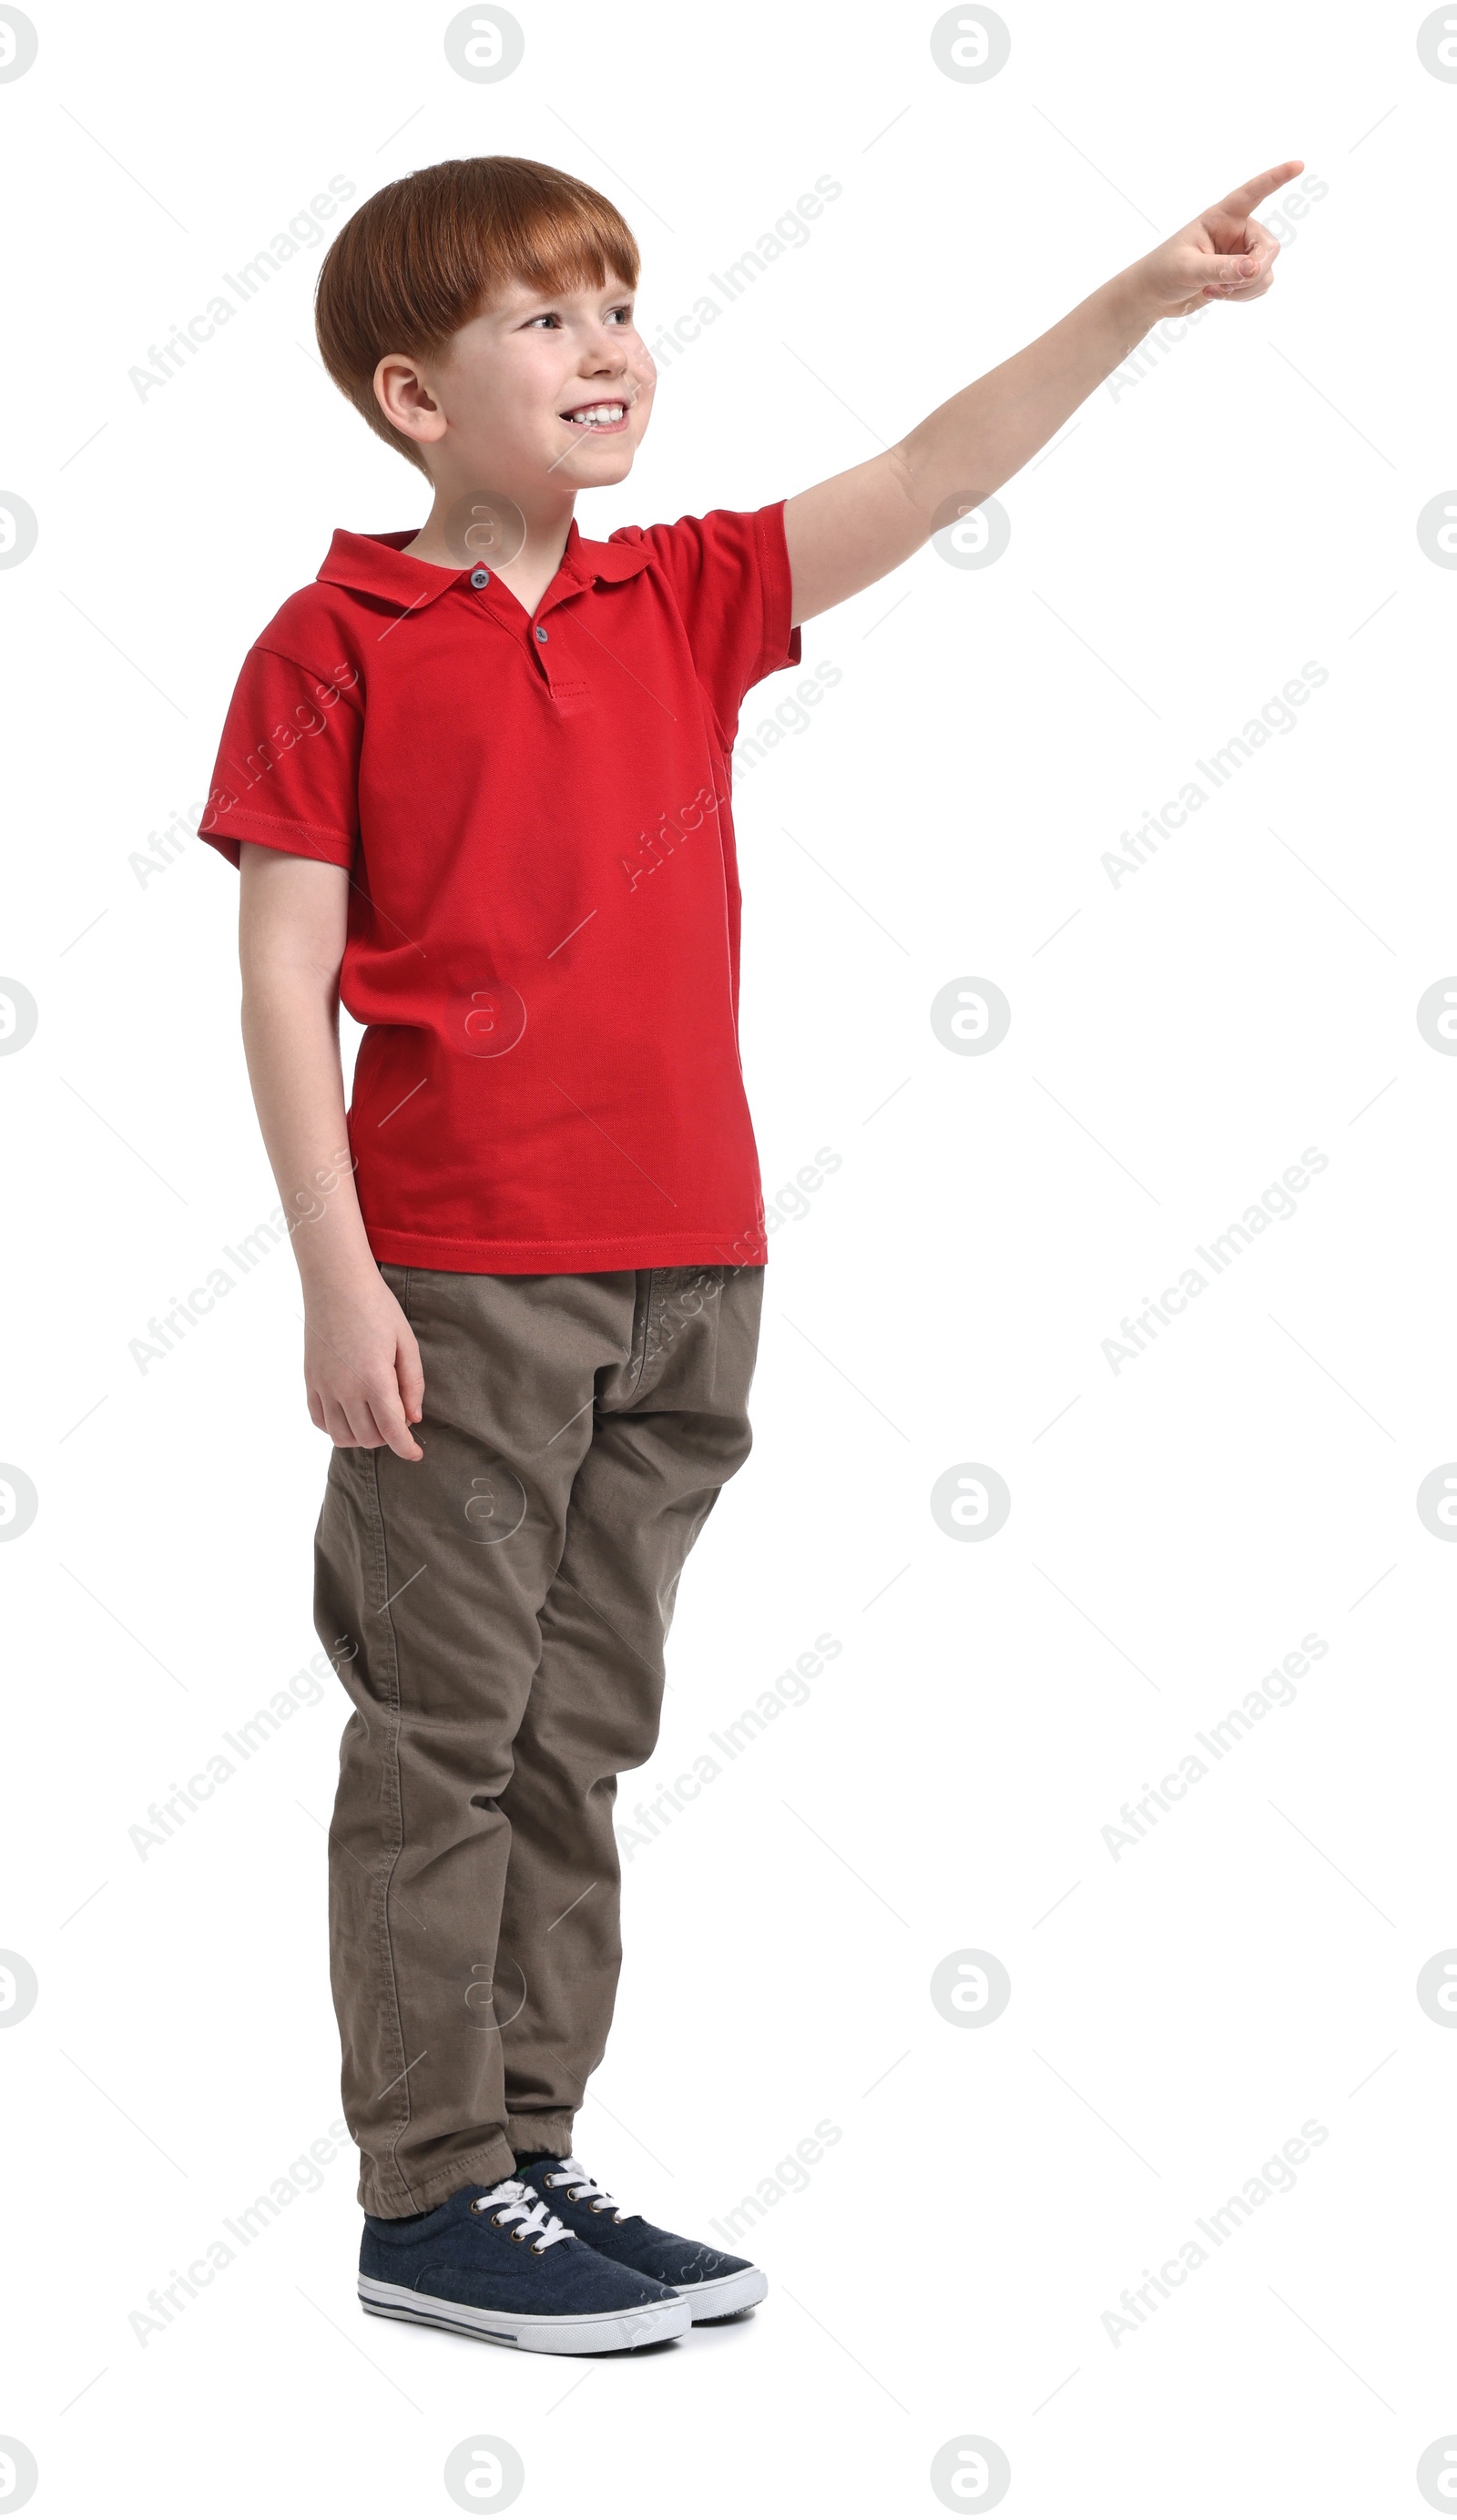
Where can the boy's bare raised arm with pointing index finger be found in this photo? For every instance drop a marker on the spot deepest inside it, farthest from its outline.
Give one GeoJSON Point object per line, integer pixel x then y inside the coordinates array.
{"type": "Point", "coordinates": [851, 530]}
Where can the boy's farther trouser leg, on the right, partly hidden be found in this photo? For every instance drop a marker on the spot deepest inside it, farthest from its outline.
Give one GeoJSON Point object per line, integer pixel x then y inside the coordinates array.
{"type": "Point", "coordinates": [669, 1435]}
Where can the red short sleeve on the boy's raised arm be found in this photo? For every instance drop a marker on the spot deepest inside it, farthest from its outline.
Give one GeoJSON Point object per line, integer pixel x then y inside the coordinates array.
{"type": "Point", "coordinates": [730, 573]}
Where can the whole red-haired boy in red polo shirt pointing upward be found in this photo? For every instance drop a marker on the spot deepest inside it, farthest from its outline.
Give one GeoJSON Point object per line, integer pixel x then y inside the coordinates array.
{"type": "Point", "coordinates": [478, 785]}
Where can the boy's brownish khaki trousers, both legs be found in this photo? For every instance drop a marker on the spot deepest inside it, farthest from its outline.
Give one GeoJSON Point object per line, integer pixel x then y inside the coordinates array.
{"type": "Point", "coordinates": [498, 1617]}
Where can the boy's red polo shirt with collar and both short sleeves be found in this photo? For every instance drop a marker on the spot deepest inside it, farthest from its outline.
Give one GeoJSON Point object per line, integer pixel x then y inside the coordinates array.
{"type": "Point", "coordinates": [543, 919]}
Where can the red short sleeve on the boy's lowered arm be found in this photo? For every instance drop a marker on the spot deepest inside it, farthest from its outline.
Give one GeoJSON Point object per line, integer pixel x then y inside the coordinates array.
{"type": "Point", "coordinates": [289, 762]}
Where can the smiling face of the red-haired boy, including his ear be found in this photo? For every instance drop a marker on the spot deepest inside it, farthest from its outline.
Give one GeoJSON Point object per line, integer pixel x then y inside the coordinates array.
{"type": "Point", "coordinates": [538, 394]}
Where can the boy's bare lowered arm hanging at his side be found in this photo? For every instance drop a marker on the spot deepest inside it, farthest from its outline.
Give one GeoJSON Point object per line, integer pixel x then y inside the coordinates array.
{"type": "Point", "coordinates": [362, 1360]}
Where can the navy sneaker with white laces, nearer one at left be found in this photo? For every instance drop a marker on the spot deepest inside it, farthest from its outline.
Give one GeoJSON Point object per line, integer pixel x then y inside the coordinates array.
{"type": "Point", "coordinates": [495, 2262]}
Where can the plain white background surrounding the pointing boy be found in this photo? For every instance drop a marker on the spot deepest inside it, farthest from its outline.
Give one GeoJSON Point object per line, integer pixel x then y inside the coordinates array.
{"type": "Point", "coordinates": [1176, 1528]}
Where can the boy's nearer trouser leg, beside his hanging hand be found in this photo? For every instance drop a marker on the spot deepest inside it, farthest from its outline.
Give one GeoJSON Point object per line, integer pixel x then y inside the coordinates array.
{"type": "Point", "coordinates": [430, 1579]}
